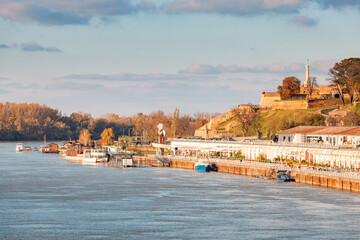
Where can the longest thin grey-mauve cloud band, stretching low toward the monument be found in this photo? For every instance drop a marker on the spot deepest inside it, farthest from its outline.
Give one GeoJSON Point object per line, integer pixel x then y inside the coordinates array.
{"type": "Point", "coordinates": [201, 73]}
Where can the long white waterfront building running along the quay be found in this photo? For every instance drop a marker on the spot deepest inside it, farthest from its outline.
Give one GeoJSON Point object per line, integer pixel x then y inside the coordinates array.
{"type": "Point", "coordinates": [254, 150]}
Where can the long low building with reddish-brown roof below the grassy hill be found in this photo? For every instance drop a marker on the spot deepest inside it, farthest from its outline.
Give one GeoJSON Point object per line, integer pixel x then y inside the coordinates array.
{"type": "Point", "coordinates": [319, 134]}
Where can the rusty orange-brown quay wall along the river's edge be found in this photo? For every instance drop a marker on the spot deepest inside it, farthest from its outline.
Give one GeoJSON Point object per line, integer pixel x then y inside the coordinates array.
{"type": "Point", "coordinates": [319, 180]}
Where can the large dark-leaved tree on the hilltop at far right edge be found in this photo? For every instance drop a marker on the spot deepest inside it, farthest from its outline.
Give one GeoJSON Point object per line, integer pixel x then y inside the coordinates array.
{"type": "Point", "coordinates": [346, 77]}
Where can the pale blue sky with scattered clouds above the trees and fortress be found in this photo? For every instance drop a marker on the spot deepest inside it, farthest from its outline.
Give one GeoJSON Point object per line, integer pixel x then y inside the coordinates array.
{"type": "Point", "coordinates": [130, 56]}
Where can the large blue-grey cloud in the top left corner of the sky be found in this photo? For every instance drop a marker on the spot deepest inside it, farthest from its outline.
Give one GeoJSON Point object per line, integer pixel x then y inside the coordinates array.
{"type": "Point", "coordinates": [65, 12]}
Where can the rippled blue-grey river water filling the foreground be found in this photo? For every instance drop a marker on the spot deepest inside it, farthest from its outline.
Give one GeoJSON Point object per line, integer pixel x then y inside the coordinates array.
{"type": "Point", "coordinates": [43, 196]}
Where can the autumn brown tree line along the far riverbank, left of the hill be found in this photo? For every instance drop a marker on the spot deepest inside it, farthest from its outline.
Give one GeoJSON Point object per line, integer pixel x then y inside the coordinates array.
{"type": "Point", "coordinates": [32, 121]}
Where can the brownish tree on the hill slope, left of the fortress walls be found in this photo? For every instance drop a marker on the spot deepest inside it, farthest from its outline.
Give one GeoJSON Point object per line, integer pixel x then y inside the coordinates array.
{"type": "Point", "coordinates": [245, 114]}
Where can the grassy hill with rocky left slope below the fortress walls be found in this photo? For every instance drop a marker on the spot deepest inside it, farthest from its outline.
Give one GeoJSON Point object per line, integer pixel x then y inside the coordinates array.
{"type": "Point", "coordinates": [267, 123]}
